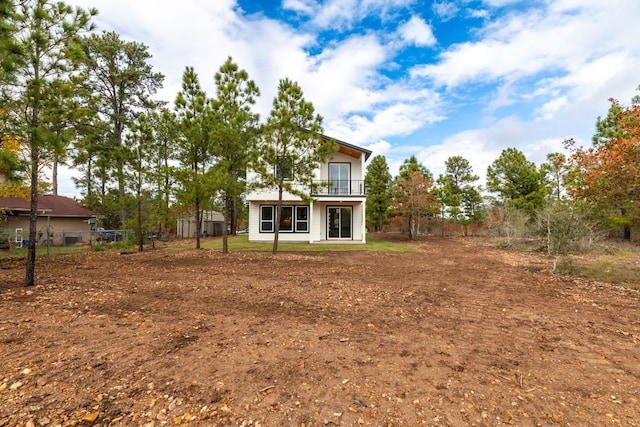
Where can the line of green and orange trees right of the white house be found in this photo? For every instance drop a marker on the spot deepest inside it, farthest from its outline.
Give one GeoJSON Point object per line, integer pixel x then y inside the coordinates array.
{"type": "Point", "coordinates": [568, 202]}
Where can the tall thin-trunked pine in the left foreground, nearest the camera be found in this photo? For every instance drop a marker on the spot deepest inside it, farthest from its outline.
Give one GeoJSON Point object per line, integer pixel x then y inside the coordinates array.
{"type": "Point", "coordinates": [48, 36]}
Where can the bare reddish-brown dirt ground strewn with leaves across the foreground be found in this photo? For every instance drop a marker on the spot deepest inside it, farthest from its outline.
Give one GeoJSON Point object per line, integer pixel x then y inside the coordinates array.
{"type": "Point", "coordinates": [456, 334]}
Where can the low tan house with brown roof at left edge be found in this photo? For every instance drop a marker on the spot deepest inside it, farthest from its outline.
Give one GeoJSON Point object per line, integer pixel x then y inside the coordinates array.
{"type": "Point", "coordinates": [61, 220]}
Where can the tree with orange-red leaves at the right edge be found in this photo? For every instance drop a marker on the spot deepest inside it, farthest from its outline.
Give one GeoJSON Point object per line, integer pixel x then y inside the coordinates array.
{"type": "Point", "coordinates": [608, 175]}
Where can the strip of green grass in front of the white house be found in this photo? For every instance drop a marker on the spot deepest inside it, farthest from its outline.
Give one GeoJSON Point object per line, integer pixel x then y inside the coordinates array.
{"type": "Point", "coordinates": [241, 243]}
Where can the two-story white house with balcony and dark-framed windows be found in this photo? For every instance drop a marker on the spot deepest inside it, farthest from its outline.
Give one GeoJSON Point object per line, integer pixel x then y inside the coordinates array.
{"type": "Point", "coordinates": [336, 213]}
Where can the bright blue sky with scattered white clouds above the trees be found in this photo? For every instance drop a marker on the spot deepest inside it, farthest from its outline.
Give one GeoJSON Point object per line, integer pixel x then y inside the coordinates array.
{"type": "Point", "coordinates": [404, 77]}
